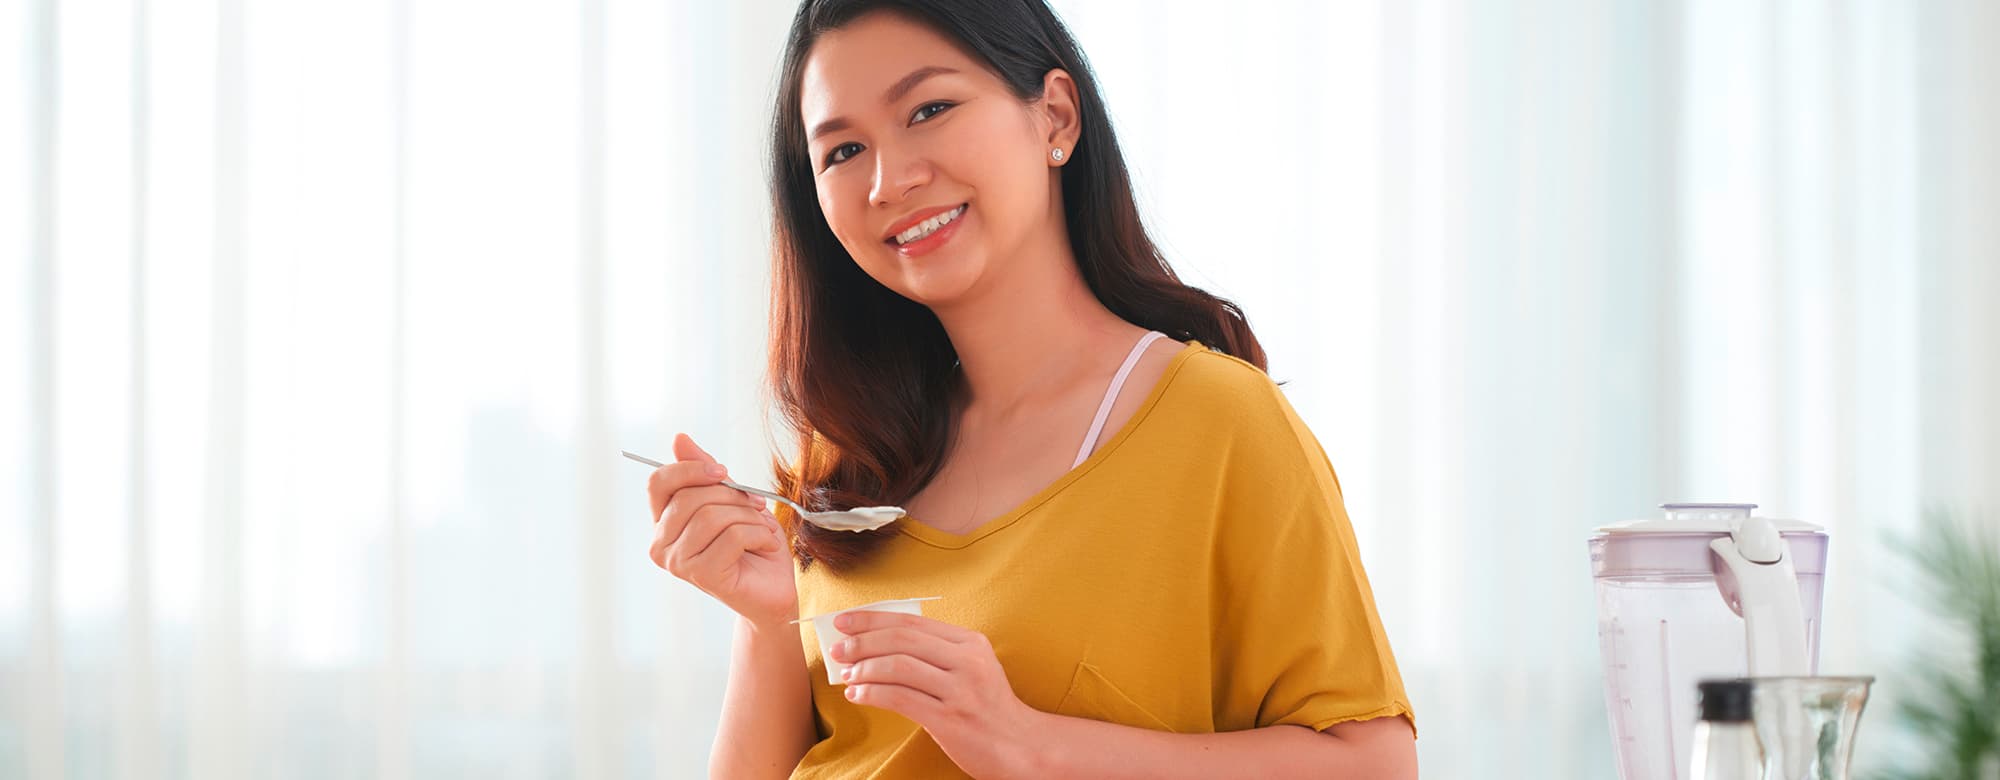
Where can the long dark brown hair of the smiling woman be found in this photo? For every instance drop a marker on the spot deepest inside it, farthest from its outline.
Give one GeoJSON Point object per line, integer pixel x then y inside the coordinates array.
{"type": "Point", "coordinates": [863, 375]}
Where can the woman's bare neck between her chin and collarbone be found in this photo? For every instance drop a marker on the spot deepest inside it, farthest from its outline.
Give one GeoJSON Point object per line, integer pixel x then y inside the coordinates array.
{"type": "Point", "coordinates": [1031, 335]}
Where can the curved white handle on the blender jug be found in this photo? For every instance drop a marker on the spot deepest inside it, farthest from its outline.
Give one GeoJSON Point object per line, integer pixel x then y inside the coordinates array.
{"type": "Point", "coordinates": [1775, 621]}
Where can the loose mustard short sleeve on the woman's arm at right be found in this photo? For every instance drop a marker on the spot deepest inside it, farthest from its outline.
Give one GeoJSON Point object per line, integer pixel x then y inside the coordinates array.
{"type": "Point", "coordinates": [1299, 639]}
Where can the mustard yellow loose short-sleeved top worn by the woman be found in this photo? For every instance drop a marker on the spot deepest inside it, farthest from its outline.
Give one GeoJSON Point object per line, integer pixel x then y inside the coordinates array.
{"type": "Point", "coordinates": [1195, 575]}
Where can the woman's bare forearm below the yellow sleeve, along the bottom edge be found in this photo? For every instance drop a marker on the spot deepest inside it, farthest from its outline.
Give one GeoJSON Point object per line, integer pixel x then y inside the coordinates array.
{"type": "Point", "coordinates": [1095, 749]}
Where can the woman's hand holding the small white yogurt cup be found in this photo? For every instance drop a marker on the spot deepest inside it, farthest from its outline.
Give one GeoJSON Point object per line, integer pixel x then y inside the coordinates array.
{"type": "Point", "coordinates": [945, 679]}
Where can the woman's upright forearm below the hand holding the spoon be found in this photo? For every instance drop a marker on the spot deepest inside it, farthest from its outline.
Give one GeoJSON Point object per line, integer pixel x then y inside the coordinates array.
{"type": "Point", "coordinates": [767, 711]}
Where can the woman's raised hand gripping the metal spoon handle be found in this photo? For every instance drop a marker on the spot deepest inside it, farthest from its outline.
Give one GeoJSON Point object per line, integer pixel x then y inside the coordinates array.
{"type": "Point", "coordinates": [721, 539]}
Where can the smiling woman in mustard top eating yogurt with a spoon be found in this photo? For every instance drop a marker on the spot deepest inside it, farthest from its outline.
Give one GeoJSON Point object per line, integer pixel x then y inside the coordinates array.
{"type": "Point", "coordinates": [1143, 555]}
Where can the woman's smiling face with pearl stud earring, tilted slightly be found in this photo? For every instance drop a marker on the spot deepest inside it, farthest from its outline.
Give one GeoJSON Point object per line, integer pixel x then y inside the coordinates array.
{"type": "Point", "coordinates": [907, 131]}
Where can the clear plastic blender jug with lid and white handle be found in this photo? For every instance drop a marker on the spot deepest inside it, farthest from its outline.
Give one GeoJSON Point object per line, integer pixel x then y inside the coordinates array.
{"type": "Point", "coordinates": [1705, 593]}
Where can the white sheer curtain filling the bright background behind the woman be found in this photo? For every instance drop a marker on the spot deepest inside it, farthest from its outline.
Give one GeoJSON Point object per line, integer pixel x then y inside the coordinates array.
{"type": "Point", "coordinates": [325, 321]}
